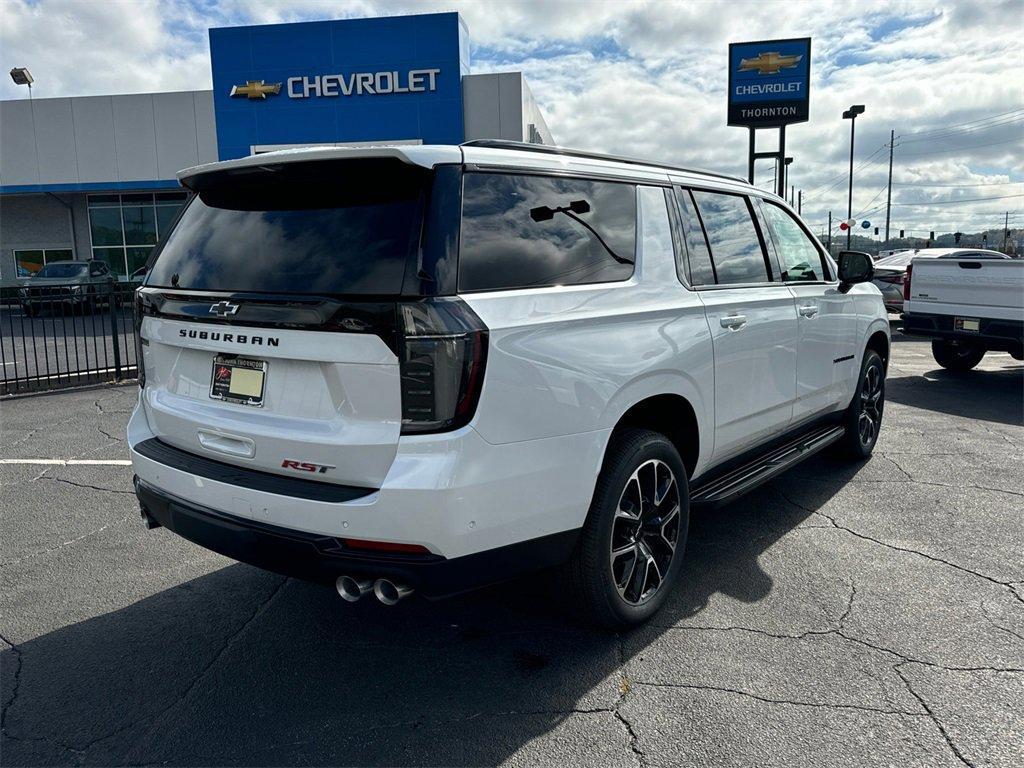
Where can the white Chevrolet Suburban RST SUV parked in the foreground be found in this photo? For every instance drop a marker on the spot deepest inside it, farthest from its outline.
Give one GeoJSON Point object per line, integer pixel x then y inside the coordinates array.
{"type": "Point", "coordinates": [434, 368]}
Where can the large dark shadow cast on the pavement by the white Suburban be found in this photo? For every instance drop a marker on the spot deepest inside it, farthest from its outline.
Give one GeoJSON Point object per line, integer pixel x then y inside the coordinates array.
{"type": "Point", "coordinates": [241, 667]}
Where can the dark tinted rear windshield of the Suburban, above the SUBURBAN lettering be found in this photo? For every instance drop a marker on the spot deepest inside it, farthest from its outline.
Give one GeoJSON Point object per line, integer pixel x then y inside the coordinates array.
{"type": "Point", "coordinates": [326, 228]}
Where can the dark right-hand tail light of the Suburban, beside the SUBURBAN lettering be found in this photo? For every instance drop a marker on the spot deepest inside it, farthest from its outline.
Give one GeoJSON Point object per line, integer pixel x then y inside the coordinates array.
{"type": "Point", "coordinates": [443, 351]}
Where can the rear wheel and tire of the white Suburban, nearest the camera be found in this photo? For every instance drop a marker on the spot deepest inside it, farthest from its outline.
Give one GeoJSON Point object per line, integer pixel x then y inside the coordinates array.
{"type": "Point", "coordinates": [638, 467]}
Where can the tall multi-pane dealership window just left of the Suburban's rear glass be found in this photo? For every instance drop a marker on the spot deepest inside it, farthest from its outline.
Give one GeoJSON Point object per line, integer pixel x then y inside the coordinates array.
{"type": "Point", "coordinates": [125, 228]}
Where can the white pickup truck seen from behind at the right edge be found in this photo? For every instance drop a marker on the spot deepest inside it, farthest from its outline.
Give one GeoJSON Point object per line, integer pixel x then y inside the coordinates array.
{"type": "Point", "coordinates": [968, 307]}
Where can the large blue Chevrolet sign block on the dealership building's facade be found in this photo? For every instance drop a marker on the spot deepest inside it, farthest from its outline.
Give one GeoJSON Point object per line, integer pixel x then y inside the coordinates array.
{"type": "Point", "coordinates": [363, 80]}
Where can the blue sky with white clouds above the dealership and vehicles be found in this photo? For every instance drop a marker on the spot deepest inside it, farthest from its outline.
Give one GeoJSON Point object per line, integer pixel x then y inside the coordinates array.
{"type": "Point", "coordinates": [650, 79]}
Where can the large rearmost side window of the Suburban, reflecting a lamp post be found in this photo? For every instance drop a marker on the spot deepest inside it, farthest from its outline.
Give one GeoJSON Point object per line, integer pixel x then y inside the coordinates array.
{"type": "Point", "coordinates": [526, 232]}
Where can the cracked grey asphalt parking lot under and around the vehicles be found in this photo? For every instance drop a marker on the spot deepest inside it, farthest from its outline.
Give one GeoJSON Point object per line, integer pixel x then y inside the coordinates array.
{"type": "Point", "coordinates": [868, 615]}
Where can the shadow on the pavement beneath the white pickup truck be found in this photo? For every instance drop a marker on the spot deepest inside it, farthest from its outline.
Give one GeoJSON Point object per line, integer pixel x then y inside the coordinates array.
{"type": "Point", "coordinates": [990, 396]}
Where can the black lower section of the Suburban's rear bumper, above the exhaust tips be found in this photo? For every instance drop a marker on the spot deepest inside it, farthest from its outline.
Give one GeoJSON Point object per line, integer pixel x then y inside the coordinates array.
{"type": "Point", "coordinates": [324, 559]}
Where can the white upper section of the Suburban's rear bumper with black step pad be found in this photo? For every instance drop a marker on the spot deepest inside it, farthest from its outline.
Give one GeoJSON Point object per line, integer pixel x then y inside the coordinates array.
{"type": "Point", "coordinates": [453, 494]}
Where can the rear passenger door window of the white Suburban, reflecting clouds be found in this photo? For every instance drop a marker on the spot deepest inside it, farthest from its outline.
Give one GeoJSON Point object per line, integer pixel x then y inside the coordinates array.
{"type": "Point", "coordinates": [736, 247]}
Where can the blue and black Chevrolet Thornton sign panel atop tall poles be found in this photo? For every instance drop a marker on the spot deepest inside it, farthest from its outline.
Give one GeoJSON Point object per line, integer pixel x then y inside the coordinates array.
{"type": "Point", "coordinates": [770, 82]}
